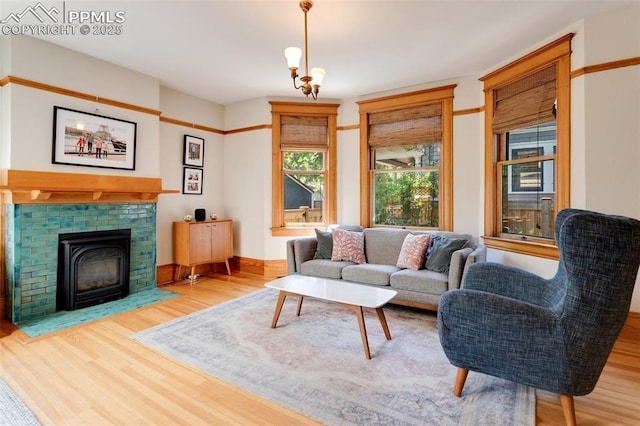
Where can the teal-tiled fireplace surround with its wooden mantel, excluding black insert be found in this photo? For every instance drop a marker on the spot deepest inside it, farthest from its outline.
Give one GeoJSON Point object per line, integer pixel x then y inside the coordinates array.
{"type": "Point", "coordinates": [39, 206]}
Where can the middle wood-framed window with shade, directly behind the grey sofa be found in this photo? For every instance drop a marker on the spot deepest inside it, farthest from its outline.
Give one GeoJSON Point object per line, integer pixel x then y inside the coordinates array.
{"type": "Point", "coordinates": [406, 161]}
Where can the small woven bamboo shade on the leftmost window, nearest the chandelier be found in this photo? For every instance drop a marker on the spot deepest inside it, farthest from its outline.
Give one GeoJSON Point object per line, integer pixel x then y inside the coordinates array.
{"type": "Point", "coordinates": [304, 132]}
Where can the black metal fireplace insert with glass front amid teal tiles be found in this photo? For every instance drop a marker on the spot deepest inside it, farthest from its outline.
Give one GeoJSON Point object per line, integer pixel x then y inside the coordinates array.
{"type": "Point", "coordinates": [93, 268]}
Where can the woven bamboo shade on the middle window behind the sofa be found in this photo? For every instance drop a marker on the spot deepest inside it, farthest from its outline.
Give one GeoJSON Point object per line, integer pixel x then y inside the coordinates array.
{"type": "Point", "coordinates": [409, 126]}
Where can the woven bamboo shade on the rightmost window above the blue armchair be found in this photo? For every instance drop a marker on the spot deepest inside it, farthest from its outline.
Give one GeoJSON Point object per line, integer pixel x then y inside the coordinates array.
{"type": "Point", "coordinates": [525, 102]}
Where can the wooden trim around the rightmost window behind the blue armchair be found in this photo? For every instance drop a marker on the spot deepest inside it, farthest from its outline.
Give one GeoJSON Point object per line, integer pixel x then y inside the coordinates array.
{"type": "Point", "coordinates": [558, 52]}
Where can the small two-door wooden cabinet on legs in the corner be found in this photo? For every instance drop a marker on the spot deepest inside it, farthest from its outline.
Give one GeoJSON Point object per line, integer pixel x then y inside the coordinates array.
{"type": "Point", "coordinates": [198, 243]}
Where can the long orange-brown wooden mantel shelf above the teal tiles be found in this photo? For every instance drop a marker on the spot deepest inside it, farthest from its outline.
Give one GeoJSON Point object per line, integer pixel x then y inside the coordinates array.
{"type": "Point", "coordinates": [27, 186]}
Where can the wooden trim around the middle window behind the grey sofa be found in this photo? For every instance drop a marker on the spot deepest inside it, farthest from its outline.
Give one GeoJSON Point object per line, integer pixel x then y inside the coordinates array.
{"type": "Point", "coordinates": [442, 94]}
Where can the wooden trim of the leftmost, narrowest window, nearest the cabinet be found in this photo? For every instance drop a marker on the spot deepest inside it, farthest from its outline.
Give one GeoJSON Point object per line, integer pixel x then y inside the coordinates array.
{"type": "Point", "coordinates": [278, 109]}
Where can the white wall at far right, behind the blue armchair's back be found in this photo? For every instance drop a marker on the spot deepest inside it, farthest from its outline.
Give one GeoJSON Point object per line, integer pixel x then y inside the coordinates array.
{"type": "Point", "coordinates": [612, 118]}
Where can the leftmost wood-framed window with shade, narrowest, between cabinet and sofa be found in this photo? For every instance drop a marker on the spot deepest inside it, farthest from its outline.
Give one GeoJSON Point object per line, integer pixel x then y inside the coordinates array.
{"type": "Point", "coordinates": [303, 166]}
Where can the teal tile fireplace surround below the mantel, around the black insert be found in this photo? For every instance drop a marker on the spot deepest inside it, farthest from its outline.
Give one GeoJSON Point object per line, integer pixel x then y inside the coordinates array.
{"type": "Point", "coordinates": [31, 249]}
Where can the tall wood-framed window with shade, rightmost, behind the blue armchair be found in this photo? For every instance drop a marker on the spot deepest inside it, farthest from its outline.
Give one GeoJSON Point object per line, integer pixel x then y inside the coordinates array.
{"type": "Point", "coordinates": [527, 138]}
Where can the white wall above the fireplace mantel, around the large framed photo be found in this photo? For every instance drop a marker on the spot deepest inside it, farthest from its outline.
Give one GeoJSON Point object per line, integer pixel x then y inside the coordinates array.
{"type": "Point", "coordinates": [27, 144]}
